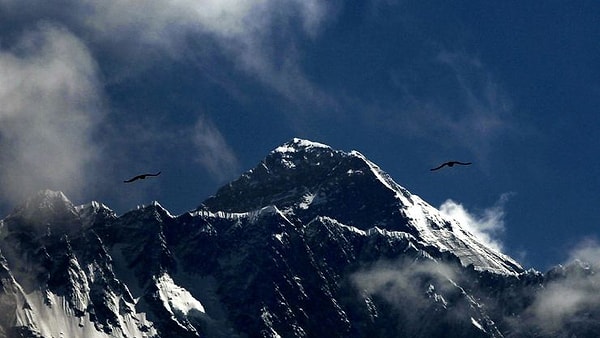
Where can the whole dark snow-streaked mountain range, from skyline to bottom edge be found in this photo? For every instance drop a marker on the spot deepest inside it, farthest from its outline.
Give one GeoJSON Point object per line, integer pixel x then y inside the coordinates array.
{"type": "Point", "coordinates": [313, 242]}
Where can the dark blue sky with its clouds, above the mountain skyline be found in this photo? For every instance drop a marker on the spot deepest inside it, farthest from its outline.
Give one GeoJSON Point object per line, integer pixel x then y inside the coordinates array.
{"type": "Point", "coordinates": [204, 90]}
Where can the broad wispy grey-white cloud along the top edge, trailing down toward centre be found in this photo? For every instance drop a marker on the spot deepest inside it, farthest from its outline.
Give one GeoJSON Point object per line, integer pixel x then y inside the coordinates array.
{"type": "Point", "coordinates": [258, 36]}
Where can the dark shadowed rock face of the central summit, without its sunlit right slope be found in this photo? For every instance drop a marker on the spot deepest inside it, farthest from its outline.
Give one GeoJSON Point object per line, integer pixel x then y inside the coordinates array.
{"type": "Point", "coordinates": [304, 174]}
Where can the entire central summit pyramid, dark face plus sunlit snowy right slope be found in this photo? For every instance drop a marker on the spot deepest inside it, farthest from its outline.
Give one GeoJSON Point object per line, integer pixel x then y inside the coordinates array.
{"type": "Point", "coordinates": [306, 179]}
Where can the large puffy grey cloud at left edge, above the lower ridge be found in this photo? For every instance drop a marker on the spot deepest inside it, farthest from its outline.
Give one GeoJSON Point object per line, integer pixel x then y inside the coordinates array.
{"type": "Point", "coordinates": [51, 105]}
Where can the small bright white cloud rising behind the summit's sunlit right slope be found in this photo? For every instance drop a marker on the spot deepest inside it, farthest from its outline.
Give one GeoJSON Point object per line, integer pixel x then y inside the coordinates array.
{"type": "Point", "coordinates": [487, 225]}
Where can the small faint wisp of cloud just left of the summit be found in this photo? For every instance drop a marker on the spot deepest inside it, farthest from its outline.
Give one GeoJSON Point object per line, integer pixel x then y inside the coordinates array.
{"type": "Point", "coordinates": [213, 152]}
